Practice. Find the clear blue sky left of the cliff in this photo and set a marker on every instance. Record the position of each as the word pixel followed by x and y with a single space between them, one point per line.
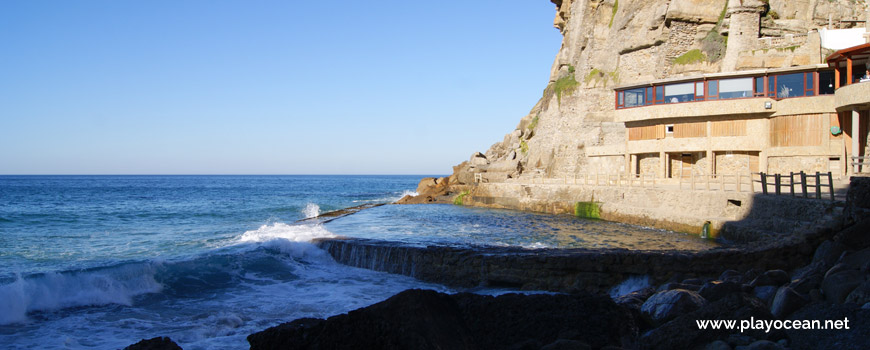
pixel 265 87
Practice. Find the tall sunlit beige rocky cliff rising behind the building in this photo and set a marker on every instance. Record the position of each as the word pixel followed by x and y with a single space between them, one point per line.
pixel 571 130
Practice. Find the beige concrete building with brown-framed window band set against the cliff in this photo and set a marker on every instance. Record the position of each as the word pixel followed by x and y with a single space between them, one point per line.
pixel 811 116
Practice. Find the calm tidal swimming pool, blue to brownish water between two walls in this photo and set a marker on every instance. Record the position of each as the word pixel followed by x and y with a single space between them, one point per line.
pixel 451 225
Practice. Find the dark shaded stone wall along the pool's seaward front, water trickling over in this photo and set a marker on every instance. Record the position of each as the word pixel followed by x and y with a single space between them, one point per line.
pixel 558 270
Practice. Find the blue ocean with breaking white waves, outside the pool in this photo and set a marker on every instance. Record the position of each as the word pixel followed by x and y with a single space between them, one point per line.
pixel 104 261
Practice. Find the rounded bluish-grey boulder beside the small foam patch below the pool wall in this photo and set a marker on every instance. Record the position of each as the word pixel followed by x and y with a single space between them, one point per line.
pixel 667 305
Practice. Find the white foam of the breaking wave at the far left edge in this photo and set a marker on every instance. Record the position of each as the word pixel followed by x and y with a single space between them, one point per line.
pixel 52 291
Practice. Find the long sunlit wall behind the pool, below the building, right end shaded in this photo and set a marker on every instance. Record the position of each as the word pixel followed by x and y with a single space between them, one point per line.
pixel 736 216
